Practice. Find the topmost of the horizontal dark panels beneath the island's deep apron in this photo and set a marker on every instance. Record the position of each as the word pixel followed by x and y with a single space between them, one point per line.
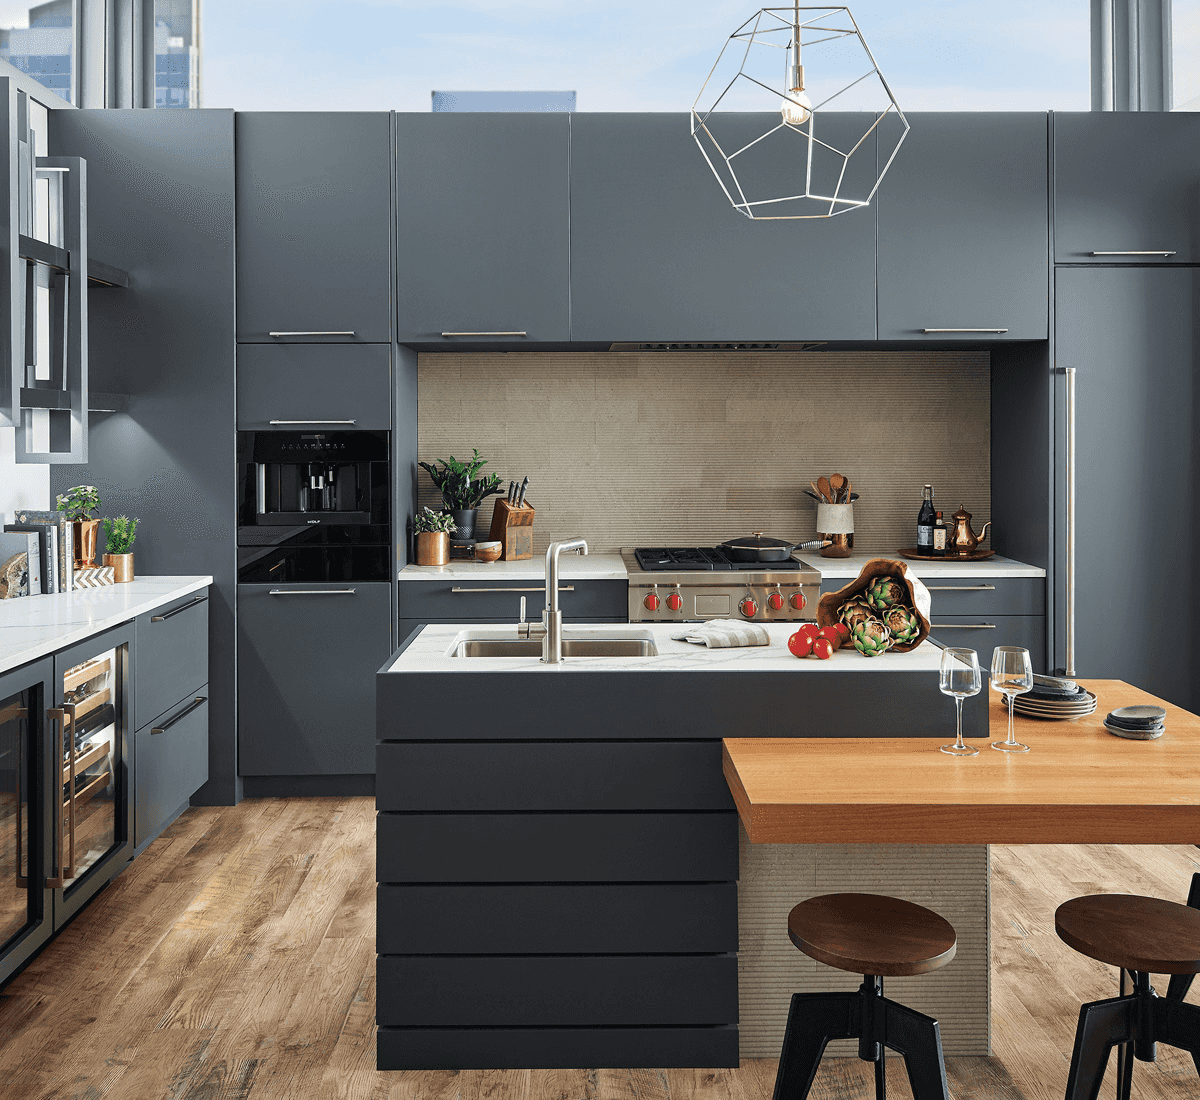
pixel 551 776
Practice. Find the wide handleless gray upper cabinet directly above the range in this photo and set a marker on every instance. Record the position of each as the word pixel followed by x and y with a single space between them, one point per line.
pixel 659 254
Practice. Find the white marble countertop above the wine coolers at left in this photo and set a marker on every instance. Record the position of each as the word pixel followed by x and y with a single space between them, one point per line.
pixel 34 627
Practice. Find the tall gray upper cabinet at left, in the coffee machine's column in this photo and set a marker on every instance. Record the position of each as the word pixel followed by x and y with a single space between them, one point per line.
pixel 314 217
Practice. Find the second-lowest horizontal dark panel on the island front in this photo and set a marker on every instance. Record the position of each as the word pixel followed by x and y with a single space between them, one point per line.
pixel 542 991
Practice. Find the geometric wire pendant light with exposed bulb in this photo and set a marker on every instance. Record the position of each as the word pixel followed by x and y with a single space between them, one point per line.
pixel 796 121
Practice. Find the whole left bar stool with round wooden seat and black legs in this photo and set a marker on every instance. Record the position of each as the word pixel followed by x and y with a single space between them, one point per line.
pixel 878 937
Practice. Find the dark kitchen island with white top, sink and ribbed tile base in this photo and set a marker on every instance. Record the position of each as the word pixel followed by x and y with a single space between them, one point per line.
pixel 559 880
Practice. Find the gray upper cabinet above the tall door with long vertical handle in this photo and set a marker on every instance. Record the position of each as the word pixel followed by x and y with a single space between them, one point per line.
pixel 1127 184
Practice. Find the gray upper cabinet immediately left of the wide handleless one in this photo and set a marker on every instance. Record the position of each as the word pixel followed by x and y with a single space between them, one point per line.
pixel 483 221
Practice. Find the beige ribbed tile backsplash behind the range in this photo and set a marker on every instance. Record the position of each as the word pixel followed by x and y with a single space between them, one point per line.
pixel 691 449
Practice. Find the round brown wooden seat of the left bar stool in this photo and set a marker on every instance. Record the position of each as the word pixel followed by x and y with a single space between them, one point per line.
pixel 869 934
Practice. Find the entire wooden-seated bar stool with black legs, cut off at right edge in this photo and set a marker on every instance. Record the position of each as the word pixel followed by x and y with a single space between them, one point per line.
pixel 1144 936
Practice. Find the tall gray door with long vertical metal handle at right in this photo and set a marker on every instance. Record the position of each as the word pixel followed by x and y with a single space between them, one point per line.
pixel 1131 334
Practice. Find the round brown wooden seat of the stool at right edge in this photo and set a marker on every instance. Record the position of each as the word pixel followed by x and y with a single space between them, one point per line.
pixel 1148 935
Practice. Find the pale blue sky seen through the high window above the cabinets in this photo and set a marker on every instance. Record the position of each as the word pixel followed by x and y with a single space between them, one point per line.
pixel 619 56
